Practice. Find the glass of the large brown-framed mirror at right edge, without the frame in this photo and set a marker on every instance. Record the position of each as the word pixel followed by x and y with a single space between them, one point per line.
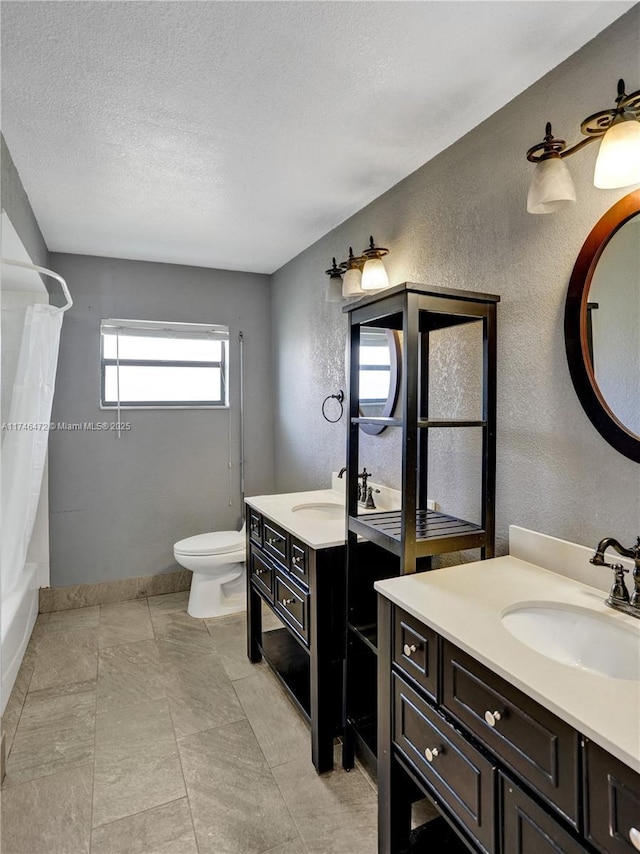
pixel 613 324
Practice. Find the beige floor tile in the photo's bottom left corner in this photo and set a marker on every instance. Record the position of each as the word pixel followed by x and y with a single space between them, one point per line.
pixel 50 815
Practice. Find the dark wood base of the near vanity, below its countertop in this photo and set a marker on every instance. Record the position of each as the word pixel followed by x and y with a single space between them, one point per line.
pixel 508 775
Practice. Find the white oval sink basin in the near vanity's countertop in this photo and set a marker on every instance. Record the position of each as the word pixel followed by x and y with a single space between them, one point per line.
pixel 577 637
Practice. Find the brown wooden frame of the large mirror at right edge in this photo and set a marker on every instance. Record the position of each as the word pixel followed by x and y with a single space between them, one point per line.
pixel 576 328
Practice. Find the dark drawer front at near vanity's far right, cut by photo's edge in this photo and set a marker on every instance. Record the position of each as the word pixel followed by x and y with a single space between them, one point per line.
pixel 612 802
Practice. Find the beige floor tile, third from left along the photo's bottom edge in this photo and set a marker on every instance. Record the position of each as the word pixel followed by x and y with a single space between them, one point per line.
pixel 235 804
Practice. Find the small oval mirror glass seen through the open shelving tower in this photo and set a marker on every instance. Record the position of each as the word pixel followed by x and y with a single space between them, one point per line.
pixel 379 374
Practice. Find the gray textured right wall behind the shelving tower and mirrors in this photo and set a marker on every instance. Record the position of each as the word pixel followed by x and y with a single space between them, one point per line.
pixel 461 221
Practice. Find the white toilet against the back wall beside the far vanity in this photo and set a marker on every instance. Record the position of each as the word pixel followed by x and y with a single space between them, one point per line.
pixel 217 561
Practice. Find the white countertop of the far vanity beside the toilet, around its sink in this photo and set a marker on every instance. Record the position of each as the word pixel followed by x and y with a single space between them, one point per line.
pixel 317 533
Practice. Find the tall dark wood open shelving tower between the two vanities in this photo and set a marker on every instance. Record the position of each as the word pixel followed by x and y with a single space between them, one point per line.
pixel 411 536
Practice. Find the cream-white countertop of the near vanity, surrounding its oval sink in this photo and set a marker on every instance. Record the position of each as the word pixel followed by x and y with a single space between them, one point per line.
pixel 464 604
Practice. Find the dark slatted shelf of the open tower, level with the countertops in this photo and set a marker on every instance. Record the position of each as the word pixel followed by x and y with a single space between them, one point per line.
pixel 436 533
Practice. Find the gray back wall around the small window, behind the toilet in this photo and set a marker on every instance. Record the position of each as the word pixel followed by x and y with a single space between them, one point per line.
pixel 118 505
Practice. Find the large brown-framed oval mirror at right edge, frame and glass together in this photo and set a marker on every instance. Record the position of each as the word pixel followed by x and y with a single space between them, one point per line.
pixel 602 326
